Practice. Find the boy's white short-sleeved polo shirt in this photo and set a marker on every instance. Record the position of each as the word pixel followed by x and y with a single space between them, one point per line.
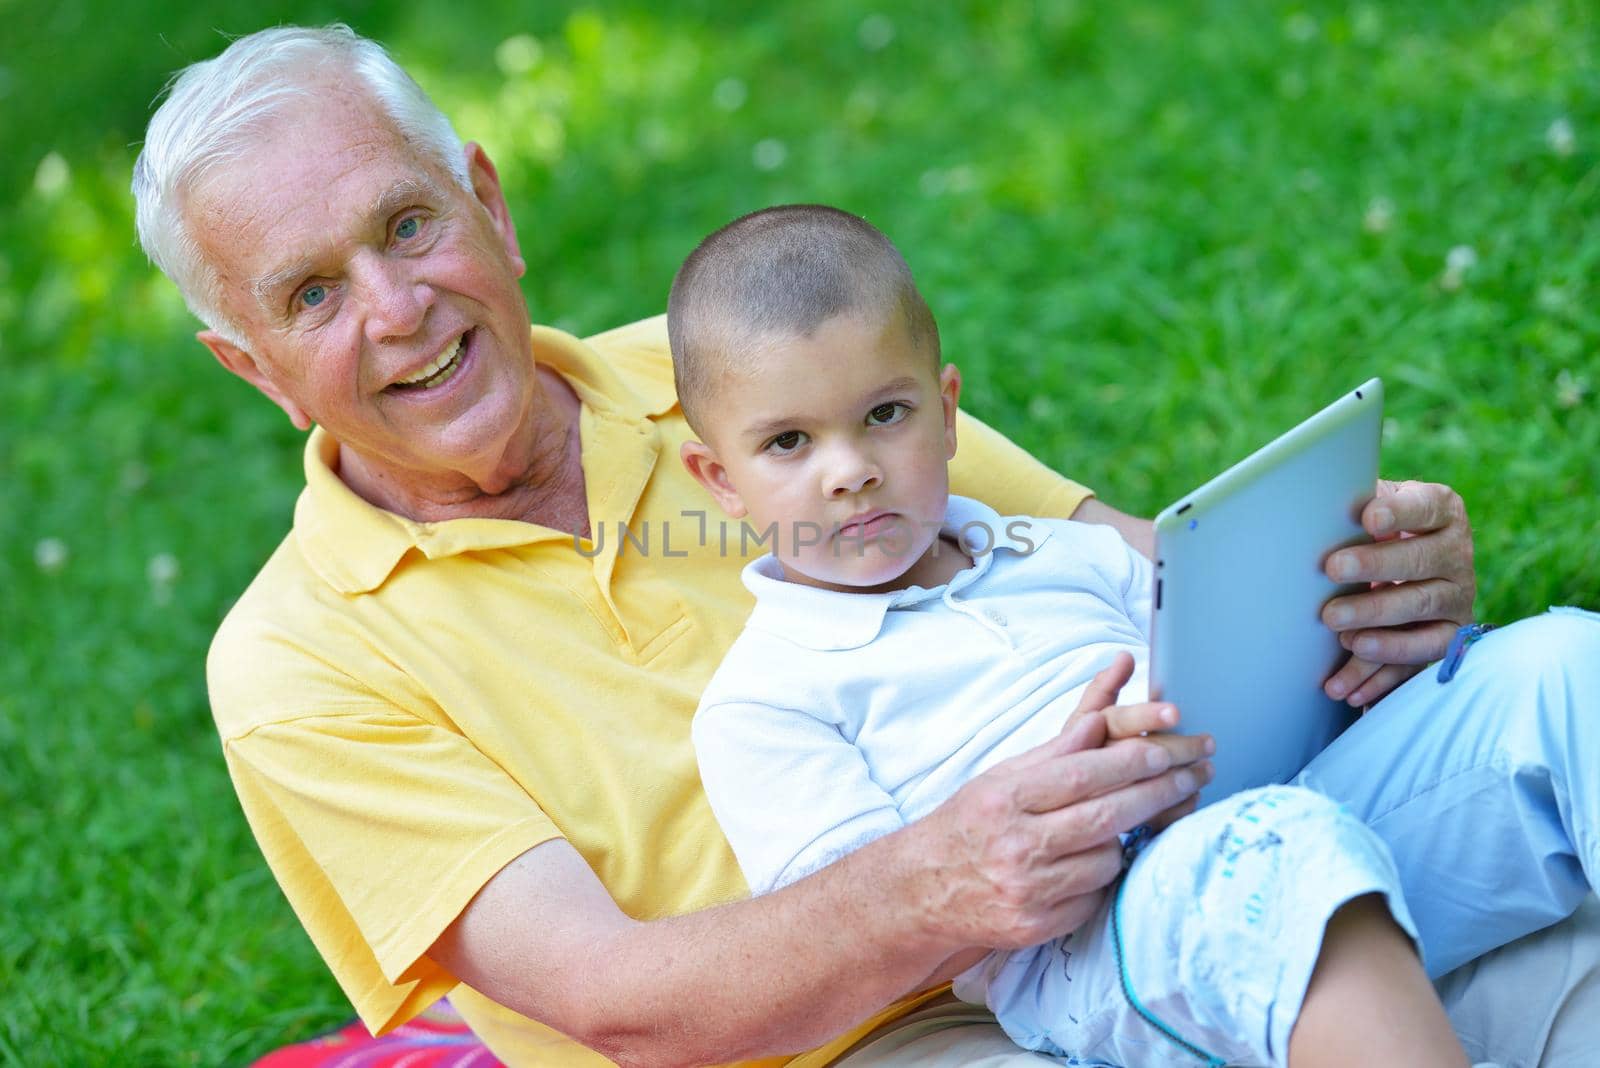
pixel 838 719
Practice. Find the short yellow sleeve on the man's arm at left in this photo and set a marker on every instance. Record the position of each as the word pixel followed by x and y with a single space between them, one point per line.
pixel 382 829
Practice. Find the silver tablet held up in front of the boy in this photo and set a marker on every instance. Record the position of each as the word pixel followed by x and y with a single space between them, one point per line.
pixel 1238 636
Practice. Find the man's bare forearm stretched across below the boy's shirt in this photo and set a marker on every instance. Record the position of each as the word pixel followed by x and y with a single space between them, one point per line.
pixel 769 976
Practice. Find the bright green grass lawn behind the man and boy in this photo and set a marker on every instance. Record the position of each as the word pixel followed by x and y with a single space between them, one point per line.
pixel 1156 234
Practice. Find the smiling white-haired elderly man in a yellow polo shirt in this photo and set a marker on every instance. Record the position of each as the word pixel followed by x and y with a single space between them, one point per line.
pixel 455 703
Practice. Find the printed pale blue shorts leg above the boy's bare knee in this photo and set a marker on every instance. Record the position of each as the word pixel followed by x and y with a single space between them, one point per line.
pixel 1204 952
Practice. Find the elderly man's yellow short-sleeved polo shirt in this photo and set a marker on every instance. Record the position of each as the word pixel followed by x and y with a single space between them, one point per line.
pixel 406 707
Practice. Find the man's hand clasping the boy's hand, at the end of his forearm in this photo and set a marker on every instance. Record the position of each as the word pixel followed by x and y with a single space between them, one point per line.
pixel 1025 851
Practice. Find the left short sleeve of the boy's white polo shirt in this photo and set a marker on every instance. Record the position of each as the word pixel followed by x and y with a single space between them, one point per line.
pixel 830 803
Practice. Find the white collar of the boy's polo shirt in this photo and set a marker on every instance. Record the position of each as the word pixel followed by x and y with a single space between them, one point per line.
pixel 830 621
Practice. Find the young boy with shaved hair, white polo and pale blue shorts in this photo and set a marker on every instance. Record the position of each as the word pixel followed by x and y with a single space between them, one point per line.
pixel 905 642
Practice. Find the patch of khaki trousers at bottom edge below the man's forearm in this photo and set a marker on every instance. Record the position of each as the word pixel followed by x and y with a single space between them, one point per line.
pixel 945 1034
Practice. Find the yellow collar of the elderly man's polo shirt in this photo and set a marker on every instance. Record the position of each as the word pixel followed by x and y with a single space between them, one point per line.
pixel 356 546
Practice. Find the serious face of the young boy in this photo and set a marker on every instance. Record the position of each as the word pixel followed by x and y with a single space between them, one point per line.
pixel 841 442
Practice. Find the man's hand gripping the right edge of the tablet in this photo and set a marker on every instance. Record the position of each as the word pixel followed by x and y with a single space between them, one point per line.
pixel 1423 586
